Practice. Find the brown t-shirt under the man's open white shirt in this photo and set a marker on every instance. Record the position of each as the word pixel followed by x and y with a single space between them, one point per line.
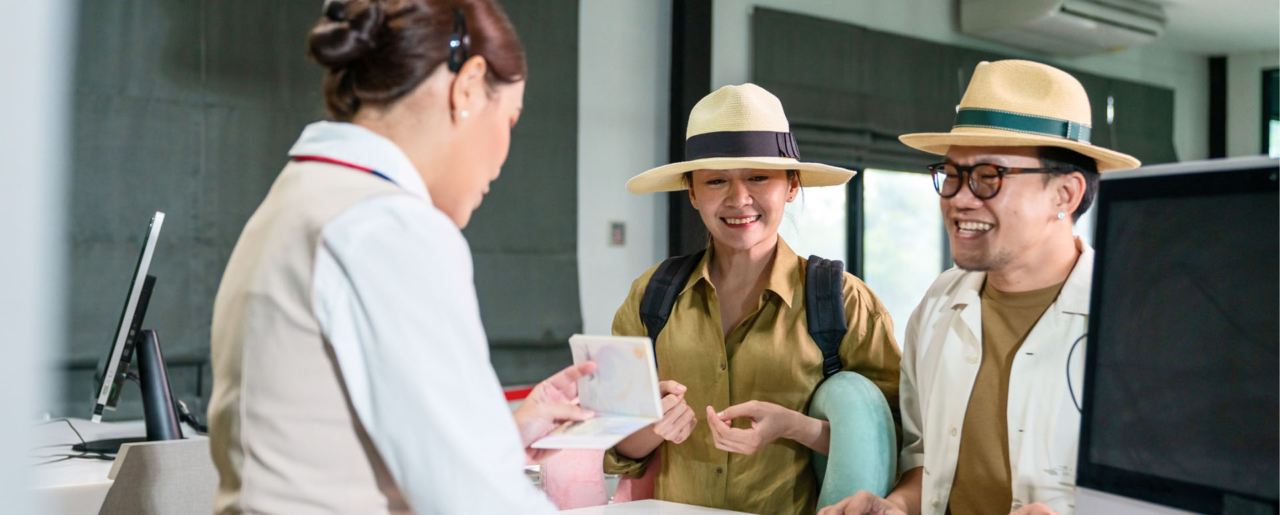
pixel 982 482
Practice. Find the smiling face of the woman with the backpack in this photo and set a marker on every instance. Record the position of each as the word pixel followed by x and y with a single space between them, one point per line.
pixel 743 208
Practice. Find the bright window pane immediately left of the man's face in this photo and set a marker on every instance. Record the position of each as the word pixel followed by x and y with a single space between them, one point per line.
pixel 903 244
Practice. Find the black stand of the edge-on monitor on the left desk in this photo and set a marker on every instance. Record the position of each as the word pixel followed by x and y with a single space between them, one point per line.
pixel 158 405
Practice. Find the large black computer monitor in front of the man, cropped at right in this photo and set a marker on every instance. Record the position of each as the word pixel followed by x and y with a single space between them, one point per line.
pixel 1182 380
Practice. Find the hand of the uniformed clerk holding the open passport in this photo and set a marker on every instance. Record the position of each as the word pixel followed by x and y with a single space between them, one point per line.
pixel 551 404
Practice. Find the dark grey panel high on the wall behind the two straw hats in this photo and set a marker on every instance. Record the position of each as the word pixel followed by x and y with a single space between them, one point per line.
pixel 851 92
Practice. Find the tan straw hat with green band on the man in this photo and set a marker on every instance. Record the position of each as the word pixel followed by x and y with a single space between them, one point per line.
pixel 1020 103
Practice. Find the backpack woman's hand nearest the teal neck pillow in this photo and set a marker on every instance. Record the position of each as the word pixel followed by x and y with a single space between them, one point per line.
pixel 770 422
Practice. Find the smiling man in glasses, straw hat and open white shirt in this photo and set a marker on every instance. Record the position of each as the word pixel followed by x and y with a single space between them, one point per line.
pixel 994 356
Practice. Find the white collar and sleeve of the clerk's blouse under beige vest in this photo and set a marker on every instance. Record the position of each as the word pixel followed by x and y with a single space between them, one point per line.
pixel 395 298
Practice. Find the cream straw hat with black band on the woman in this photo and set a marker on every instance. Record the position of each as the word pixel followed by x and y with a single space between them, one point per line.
pixel 738 127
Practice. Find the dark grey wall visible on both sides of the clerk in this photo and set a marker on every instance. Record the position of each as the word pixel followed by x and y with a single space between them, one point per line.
pixel 189 107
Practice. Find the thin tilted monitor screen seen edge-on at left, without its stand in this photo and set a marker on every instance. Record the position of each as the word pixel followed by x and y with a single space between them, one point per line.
pixel 121 354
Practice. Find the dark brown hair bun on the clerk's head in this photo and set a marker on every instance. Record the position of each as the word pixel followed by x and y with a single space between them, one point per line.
pixel 340 38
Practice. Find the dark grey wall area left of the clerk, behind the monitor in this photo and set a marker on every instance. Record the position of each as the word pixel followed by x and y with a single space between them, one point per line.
pixel 184 107
